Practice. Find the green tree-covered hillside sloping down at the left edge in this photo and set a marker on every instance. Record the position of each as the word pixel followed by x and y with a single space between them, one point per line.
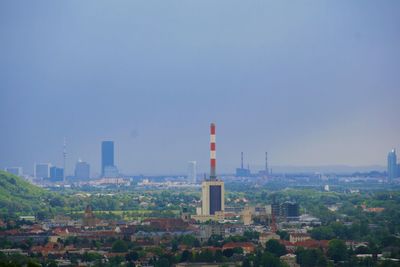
pixel 18 196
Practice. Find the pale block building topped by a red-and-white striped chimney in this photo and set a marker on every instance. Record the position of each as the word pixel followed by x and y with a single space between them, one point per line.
pixel 213 189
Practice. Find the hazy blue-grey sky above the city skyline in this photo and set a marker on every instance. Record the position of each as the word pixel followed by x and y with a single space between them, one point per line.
pixel 312 82
